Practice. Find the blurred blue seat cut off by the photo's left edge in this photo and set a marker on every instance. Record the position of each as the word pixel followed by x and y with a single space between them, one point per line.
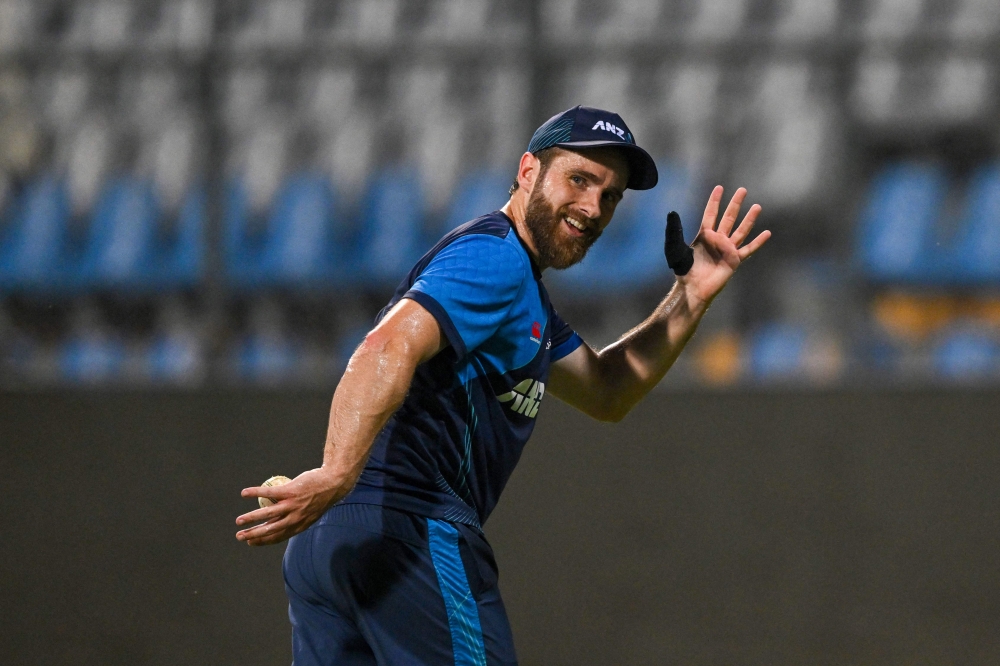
pixel 33 252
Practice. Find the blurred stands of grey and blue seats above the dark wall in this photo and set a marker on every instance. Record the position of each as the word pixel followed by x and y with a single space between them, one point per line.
pixel 211 192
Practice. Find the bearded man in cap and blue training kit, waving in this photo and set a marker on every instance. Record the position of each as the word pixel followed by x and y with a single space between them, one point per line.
pixel 437 403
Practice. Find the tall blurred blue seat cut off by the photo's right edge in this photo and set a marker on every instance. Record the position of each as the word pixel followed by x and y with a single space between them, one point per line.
pixel 975 255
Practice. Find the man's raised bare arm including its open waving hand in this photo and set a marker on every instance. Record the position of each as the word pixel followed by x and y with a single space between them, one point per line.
pixel 607 384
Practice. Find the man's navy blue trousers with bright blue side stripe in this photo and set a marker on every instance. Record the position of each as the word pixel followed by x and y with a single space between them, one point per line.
pixel 368 585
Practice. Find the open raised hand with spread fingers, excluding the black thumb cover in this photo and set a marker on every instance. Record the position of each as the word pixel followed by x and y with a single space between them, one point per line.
pixel 718 250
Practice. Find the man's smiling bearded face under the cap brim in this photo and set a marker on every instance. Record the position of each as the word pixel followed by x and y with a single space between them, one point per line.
pixel 572 201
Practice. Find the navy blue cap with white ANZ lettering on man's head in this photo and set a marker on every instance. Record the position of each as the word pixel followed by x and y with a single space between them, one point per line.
pixel 586 127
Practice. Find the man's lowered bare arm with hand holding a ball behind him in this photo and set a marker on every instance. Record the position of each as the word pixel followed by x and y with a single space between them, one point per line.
pixel 373 387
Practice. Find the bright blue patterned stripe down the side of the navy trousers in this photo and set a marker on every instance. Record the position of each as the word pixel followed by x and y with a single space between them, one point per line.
pixel 463 614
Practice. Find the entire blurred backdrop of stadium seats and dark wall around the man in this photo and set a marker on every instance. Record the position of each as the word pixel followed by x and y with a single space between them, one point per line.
pixel 204 203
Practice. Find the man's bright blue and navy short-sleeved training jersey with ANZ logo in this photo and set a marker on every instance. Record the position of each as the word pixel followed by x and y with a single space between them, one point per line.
pixel 448 451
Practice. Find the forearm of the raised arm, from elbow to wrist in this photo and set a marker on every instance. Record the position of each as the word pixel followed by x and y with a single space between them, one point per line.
pixel 633 365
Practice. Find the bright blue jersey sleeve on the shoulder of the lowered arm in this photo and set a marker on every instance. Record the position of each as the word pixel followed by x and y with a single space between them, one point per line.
pixel 469 287
